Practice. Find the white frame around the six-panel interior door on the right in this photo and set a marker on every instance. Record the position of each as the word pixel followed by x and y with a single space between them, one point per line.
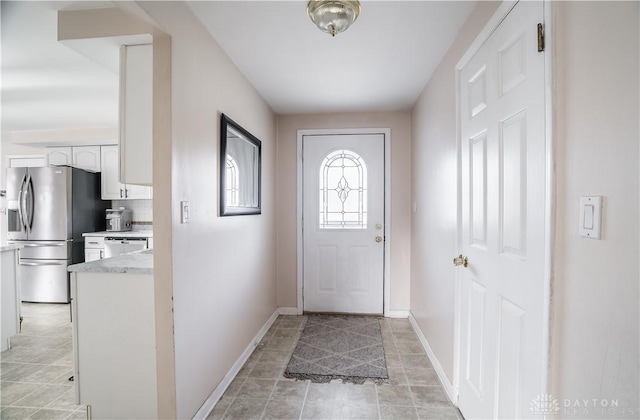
pixel 550 203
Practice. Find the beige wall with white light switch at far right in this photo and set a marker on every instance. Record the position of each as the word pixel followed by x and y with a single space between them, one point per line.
pixel 595 288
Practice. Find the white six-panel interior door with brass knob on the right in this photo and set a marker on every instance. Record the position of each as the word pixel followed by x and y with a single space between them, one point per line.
pixel 502 355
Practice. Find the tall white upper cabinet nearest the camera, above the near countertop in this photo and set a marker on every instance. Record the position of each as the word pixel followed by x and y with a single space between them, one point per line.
pixel 136 114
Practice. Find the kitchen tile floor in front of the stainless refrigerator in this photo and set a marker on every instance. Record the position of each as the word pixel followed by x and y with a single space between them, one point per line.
pixel 34 373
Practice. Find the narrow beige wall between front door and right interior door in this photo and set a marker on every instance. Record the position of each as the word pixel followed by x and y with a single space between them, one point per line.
pixel 434 189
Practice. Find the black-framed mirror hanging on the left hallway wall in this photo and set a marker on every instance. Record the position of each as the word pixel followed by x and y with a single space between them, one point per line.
pixel 240 170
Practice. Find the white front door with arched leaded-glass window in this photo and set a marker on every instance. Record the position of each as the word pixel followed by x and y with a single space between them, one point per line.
pixel 343 223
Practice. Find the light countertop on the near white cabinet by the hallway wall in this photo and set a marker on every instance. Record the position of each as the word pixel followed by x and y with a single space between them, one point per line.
pixel 140 262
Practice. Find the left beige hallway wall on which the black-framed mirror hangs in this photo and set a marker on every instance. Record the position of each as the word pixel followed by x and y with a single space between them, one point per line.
pixel 224 268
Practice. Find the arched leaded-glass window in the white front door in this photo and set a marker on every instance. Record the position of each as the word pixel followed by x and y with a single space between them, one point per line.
pixel 343 191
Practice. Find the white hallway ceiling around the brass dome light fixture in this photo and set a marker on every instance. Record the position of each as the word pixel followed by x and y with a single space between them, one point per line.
pixel 381 63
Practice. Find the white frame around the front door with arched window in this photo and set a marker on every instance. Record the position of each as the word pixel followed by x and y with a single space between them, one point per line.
pixel 386 132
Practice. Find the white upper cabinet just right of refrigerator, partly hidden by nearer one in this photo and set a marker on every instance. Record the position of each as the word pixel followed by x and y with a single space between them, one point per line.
pixel 112 189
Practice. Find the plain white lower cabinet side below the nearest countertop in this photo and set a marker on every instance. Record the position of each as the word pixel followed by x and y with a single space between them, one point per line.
pixel 114 344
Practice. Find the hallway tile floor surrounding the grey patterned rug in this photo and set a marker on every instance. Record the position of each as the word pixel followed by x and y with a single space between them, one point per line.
pixel 259 391
